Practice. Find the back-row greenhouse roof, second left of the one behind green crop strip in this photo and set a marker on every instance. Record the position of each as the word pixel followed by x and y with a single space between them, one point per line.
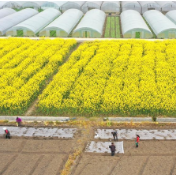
pixel 73 5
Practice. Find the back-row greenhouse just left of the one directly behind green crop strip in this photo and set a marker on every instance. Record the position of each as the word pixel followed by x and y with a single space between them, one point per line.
pixel 89 5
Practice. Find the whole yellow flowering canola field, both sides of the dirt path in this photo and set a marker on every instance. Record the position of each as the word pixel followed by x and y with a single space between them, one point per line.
pixel 105 78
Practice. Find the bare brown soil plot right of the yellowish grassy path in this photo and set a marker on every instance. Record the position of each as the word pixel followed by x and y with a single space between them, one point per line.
pixel 152 157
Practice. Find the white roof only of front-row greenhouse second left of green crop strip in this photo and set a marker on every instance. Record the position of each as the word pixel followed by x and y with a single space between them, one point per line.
pixel 66 21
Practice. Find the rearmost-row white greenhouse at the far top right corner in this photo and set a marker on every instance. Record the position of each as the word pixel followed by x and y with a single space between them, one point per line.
pixel 167 6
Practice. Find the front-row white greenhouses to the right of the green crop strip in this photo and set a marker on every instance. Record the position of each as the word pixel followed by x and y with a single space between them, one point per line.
pixel 136 26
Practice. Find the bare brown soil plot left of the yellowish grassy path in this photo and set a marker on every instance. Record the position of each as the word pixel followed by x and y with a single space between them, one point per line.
pixel 33 157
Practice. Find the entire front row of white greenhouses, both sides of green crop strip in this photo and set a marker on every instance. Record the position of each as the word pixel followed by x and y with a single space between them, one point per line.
pixel 32 22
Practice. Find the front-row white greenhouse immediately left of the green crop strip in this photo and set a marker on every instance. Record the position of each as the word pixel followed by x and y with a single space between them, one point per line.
pixel 91 25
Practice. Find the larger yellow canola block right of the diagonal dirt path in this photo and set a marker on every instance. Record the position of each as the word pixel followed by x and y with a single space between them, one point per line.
pixel 128 77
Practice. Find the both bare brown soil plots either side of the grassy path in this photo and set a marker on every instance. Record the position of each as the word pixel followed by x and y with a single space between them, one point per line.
pixel 48 157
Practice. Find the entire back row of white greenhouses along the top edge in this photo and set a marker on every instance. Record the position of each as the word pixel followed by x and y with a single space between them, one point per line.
pixel 84 6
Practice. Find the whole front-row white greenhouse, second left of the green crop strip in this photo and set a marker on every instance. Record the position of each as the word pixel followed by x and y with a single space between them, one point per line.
pixel 64 24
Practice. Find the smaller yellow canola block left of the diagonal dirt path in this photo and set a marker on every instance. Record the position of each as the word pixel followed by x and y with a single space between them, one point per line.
pixel 25 65
